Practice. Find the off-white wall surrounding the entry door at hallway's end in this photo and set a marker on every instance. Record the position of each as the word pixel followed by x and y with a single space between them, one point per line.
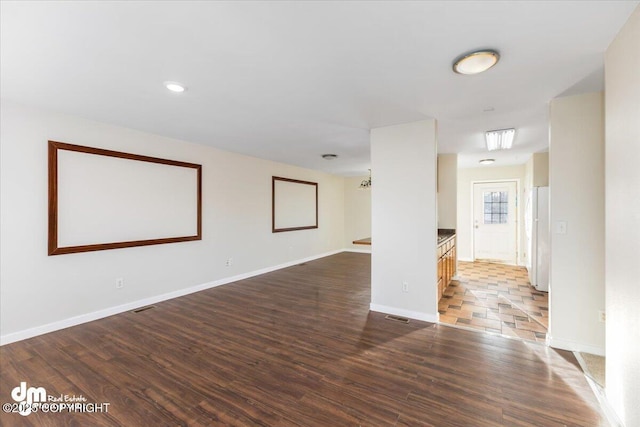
pixel 466 177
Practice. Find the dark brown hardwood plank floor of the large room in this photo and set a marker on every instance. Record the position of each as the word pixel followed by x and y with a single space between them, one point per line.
pixel 296 347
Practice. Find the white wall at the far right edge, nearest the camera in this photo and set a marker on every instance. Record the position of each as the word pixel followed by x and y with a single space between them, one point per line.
pixel 622 105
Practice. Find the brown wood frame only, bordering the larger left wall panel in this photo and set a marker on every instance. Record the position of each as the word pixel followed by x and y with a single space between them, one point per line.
pixel 53 247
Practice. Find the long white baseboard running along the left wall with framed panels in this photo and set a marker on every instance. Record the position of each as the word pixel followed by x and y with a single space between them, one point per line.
pixel 110 311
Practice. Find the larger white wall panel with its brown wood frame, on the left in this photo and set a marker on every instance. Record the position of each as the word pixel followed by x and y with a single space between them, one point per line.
pixel 102 199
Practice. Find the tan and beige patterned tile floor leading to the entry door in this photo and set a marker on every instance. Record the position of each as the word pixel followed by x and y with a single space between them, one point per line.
pixel 495 298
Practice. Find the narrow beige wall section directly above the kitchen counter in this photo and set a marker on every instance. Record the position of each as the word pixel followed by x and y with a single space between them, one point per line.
pixel 447 190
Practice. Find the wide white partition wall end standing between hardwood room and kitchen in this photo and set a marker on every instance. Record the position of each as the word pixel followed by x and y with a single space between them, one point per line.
pixel 403 221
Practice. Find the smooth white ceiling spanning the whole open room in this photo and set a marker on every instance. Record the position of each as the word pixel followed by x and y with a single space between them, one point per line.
pixel 289 81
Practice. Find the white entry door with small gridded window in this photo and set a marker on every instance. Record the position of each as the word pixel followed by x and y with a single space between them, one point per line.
pixel 495 222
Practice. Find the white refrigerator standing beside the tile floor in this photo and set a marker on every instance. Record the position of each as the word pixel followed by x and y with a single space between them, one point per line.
pixel 537 228
